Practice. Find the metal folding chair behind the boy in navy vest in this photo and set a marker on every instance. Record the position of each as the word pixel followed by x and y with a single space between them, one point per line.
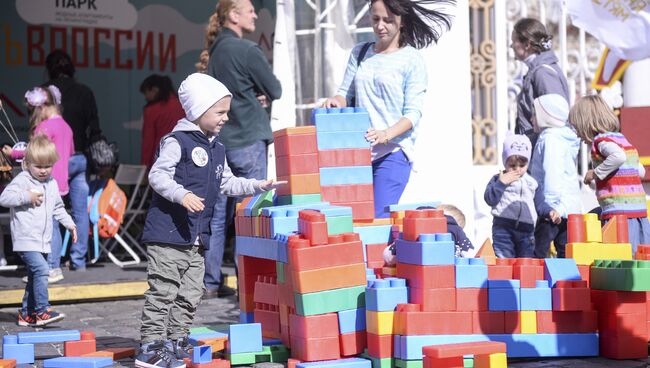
pixel 131 179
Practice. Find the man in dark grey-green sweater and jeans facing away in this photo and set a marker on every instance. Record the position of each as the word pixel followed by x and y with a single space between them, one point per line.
pixel 242 67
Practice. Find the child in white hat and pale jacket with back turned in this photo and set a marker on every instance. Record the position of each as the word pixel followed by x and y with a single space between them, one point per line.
pixel 554 166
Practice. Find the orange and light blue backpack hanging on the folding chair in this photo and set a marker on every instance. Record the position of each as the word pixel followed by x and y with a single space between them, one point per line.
pixel 106 206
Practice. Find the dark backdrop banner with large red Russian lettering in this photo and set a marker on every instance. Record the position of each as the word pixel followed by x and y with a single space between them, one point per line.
pixel 114 44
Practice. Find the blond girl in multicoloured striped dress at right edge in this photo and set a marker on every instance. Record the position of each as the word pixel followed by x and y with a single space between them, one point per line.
pixel 616 169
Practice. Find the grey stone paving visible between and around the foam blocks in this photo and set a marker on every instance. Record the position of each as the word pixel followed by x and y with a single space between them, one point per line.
pixel 116 324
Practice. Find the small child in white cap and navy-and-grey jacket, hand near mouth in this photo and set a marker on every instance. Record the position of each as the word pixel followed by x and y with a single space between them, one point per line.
pixel 513 195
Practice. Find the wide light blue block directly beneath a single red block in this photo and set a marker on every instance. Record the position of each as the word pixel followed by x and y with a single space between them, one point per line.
pixel 429 250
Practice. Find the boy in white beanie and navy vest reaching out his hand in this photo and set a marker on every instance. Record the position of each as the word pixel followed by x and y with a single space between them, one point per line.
pixel 189 173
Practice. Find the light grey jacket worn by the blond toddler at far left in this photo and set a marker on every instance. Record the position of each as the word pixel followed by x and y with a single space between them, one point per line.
pixel 31 226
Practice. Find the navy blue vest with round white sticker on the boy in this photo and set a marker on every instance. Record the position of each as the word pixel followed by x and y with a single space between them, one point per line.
pixel 171 223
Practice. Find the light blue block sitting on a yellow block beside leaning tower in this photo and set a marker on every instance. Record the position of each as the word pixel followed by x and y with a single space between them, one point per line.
pixel 383 295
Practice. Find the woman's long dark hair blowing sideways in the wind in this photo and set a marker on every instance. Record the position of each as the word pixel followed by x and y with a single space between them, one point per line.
pixel 422 25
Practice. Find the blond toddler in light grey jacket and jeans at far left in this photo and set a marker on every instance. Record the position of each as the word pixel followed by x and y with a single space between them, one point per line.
pixel 33 199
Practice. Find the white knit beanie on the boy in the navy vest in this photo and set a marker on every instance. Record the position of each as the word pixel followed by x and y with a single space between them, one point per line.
pixel 198 92
